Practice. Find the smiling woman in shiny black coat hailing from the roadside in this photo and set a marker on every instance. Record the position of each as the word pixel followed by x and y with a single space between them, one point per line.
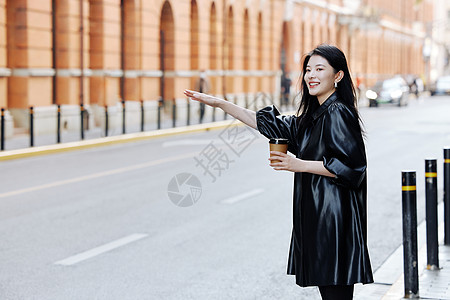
pixel 329 240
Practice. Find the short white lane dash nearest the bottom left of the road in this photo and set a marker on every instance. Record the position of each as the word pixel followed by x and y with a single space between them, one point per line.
pixel 101 249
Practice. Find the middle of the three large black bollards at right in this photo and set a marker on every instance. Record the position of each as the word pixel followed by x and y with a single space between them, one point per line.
pixel 431 214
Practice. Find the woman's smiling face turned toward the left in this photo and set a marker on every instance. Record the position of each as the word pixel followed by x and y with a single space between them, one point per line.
pixel 320 78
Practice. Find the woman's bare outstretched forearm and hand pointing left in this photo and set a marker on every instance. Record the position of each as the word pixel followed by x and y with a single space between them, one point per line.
pixel 244 115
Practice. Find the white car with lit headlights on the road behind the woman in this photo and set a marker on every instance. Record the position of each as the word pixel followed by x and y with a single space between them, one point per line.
pixel 394 90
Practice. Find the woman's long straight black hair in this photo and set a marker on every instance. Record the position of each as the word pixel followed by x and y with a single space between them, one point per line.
pixel 345 90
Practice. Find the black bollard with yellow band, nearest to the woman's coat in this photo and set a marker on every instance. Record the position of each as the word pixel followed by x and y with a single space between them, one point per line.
pixel 409 213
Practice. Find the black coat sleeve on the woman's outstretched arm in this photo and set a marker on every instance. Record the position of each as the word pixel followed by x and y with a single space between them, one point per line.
pixel 273 125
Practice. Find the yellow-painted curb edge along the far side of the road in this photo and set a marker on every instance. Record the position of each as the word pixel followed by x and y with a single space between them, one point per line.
pixel 107 141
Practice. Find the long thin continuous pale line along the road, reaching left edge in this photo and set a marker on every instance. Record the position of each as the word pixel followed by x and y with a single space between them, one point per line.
pixel 97 175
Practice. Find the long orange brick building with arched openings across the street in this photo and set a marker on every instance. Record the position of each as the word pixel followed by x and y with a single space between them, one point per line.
pixel 100 52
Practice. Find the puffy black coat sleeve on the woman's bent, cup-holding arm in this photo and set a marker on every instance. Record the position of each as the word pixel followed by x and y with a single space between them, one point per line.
pixel 345 152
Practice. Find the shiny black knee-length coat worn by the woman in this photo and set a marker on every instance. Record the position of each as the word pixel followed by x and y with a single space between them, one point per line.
pixel 329 237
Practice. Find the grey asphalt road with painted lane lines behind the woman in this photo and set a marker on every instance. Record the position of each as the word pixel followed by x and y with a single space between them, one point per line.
pixel 121 222
